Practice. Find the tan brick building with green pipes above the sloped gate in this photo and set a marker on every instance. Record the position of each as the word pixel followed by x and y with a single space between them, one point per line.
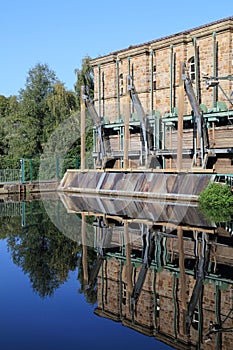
pixel 155 70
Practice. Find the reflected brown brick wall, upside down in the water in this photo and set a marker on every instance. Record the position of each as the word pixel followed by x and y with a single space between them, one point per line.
pixel 161 309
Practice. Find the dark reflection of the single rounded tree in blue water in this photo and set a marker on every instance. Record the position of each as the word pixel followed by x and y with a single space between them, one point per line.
pixel 42 252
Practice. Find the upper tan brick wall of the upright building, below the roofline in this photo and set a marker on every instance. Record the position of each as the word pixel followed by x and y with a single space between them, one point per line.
pixel 213 43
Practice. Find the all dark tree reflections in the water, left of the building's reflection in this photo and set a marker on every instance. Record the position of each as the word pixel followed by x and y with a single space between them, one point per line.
pixel 41 251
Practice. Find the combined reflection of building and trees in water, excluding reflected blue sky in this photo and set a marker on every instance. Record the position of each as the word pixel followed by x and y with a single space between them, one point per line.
pixel 162 269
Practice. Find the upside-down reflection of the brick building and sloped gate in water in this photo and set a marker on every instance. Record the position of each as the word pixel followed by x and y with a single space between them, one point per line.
pixel 171 279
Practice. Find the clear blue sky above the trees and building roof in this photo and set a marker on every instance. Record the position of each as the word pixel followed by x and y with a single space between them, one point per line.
pixel 61 33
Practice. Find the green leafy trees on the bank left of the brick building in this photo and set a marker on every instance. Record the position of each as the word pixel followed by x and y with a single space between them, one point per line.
pixel 38 119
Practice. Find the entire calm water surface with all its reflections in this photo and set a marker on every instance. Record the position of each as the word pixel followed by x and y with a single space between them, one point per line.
pixel 99 273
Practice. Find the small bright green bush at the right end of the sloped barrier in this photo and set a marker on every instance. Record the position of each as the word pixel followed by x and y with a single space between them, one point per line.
pixel 216 201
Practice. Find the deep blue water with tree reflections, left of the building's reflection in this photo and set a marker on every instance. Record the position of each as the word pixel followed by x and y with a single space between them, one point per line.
pixel 42 299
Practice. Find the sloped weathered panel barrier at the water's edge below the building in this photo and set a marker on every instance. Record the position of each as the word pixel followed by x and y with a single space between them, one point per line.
pixel 136 184
